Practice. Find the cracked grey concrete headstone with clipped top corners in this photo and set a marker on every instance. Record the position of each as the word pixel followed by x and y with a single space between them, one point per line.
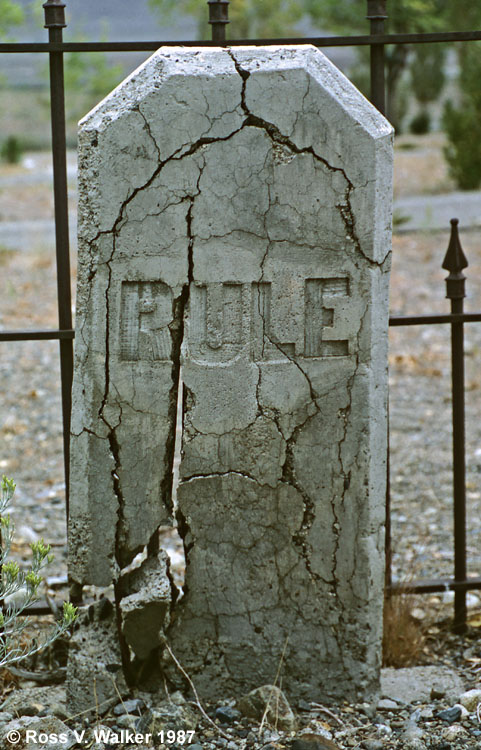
pixel 235 213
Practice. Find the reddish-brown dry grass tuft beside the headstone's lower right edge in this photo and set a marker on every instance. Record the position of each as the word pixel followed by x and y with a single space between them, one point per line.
pixel 403 636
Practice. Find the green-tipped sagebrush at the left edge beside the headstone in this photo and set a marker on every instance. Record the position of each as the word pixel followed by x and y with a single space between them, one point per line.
pixel 24 585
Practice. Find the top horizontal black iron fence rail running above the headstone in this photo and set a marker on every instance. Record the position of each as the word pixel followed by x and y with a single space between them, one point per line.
pixel 364 40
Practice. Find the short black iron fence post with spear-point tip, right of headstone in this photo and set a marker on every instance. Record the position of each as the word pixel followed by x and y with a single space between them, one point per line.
pixel 454 262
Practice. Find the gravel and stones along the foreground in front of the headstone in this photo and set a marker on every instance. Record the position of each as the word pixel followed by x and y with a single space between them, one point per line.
pixel 426 708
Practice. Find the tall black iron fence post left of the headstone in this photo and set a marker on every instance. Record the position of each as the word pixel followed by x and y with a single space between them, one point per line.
pixel 55 23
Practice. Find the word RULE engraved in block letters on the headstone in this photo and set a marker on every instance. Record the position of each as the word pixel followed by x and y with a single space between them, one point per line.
pixel 228 318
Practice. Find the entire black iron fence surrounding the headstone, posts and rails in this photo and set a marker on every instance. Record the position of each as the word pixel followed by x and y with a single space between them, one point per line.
pixel 454 261
